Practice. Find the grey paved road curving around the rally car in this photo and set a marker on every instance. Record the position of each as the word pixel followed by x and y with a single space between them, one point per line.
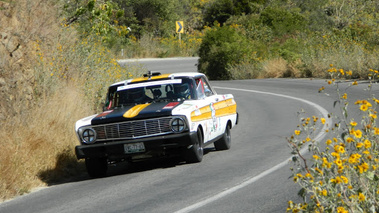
pixel 253 176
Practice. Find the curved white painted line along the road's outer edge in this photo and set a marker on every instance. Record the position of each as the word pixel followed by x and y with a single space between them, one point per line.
pixel 324 113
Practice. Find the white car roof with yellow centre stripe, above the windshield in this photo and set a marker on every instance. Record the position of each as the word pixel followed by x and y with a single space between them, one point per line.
pixel 160 76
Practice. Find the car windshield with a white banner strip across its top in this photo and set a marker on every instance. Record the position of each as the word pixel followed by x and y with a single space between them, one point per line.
pixel 152 91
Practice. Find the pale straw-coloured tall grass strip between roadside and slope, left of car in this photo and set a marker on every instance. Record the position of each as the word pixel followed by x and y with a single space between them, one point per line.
pixel 35 140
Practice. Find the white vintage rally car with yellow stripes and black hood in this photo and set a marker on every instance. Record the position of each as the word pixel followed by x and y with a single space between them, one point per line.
pixel 155 116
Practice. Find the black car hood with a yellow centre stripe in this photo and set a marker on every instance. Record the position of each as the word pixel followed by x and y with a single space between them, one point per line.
pixel 135 112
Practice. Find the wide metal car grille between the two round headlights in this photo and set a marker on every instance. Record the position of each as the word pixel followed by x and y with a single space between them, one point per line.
pixel 133 129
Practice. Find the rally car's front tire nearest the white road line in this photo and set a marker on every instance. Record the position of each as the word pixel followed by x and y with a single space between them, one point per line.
pixel 196 152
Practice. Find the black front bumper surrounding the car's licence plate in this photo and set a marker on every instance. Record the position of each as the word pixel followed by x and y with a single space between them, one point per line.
pixel 154 146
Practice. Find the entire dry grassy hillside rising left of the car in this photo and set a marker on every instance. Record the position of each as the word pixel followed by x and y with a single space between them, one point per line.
pixel 55 80
